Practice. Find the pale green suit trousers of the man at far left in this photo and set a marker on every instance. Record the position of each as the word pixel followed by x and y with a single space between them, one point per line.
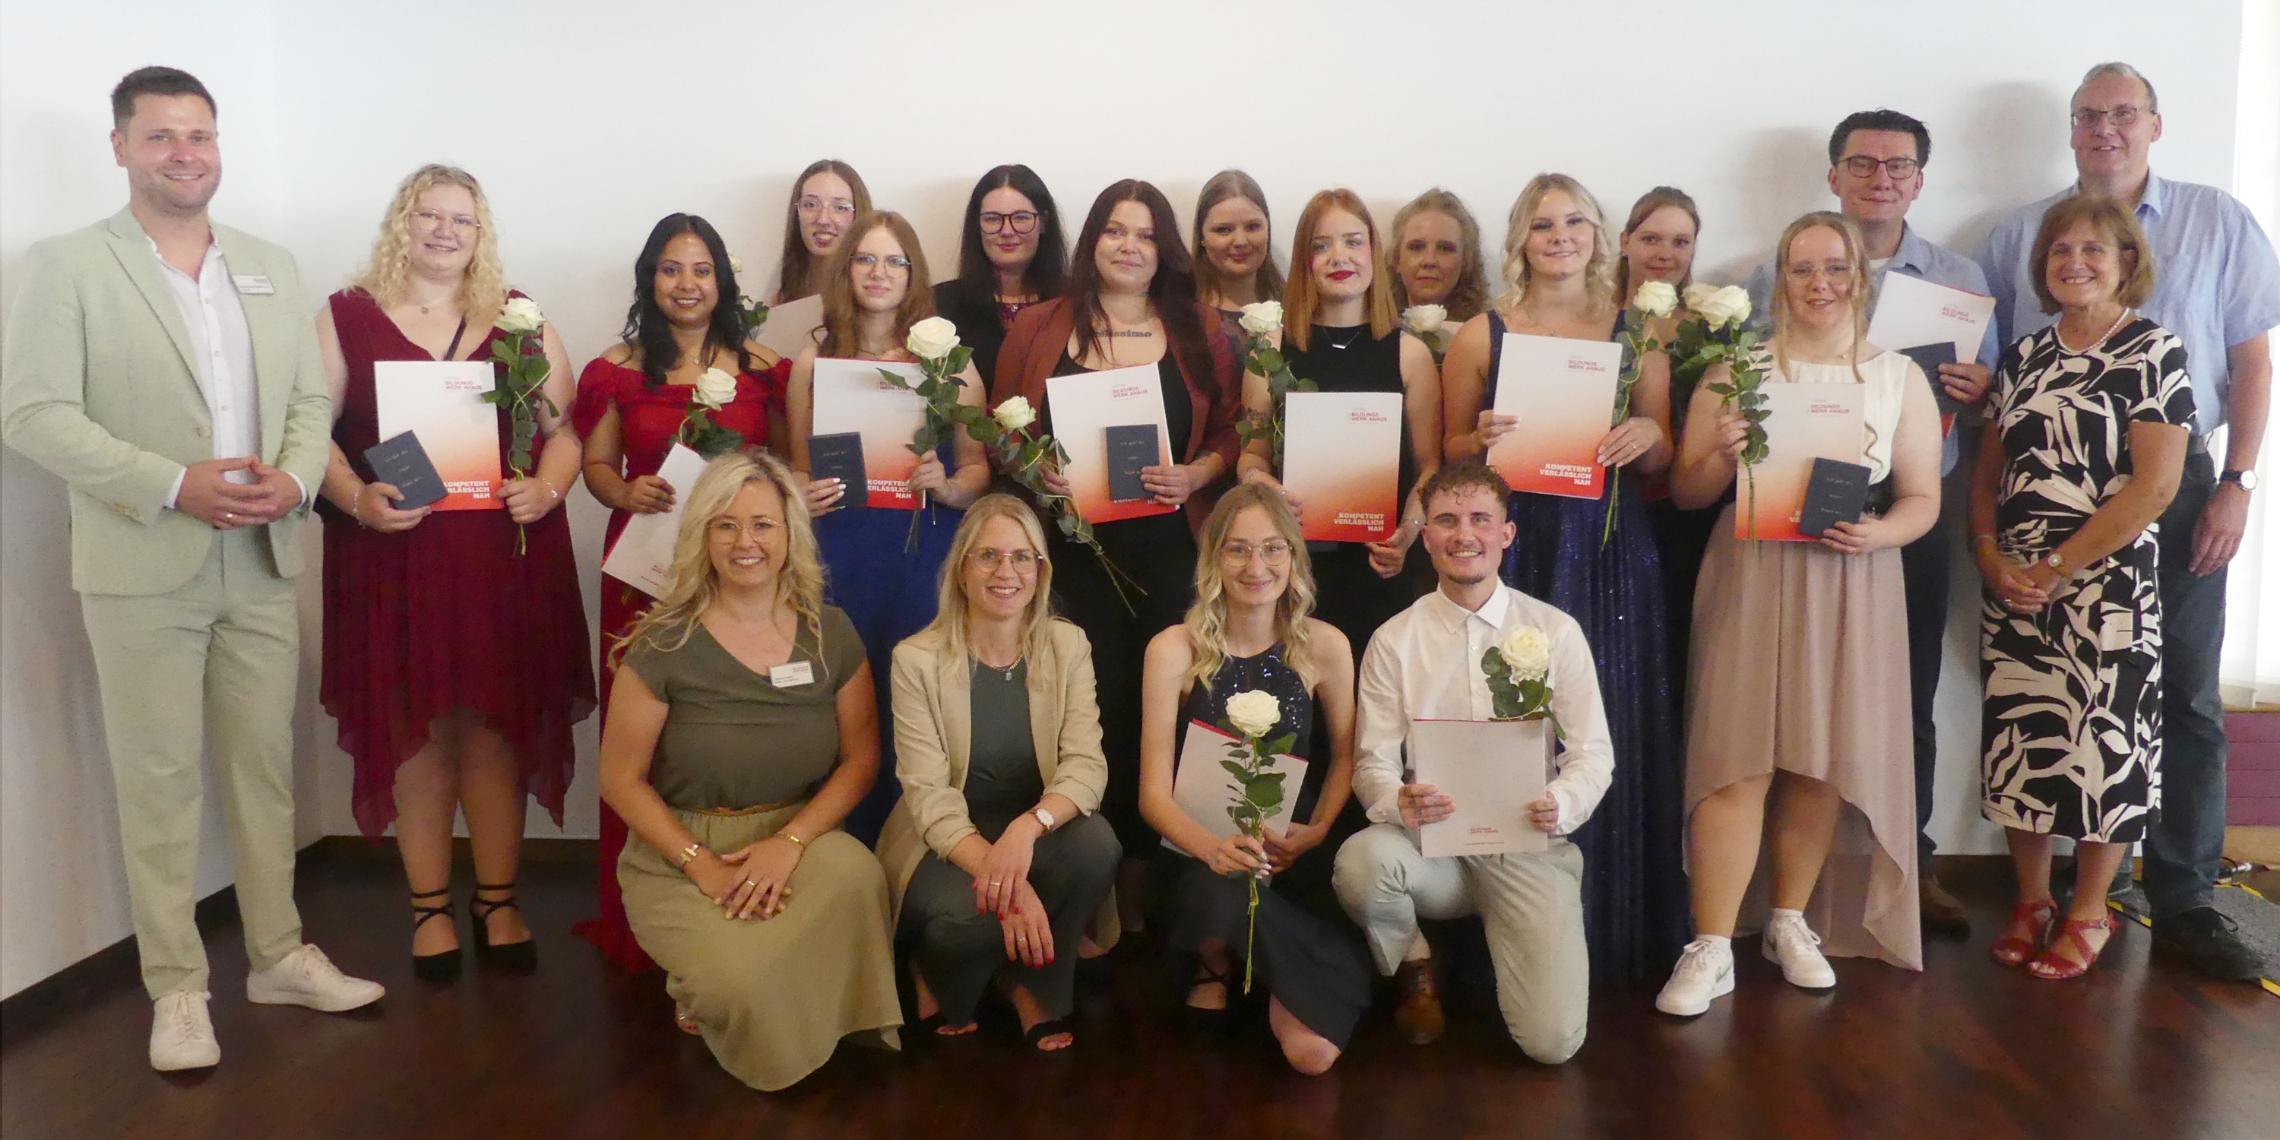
pixel 215 660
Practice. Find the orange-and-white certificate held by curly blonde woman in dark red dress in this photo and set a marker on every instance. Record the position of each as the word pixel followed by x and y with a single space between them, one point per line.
pixel 441 402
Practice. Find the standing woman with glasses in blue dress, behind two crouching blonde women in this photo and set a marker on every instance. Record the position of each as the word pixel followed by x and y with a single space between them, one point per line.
pixel 877 288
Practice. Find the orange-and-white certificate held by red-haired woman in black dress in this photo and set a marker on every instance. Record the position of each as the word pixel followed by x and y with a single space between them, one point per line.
pixel 1344 464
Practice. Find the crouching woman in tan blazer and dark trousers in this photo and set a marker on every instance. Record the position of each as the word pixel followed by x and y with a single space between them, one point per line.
pixel 995 856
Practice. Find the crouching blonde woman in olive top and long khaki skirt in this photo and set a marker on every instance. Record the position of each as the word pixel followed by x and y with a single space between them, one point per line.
pixel 740 735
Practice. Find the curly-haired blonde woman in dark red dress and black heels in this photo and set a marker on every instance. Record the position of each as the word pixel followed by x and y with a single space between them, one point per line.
pixel 453 660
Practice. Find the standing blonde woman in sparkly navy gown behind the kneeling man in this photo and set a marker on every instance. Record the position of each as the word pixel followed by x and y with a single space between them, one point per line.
pixel 1561 284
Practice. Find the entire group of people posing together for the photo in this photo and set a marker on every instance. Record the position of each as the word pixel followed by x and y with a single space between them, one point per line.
pixel 856 769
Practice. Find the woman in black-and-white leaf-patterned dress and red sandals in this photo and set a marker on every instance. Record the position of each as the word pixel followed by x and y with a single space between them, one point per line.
pixel 2087 448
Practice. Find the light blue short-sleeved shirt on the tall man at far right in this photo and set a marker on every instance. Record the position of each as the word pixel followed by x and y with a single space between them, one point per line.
pixel 2215 279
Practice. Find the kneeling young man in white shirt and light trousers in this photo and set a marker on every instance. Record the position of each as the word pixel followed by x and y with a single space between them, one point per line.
pixel 1428 665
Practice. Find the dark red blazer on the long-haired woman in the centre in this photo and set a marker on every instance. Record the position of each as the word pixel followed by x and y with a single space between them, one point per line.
pixel 1041 334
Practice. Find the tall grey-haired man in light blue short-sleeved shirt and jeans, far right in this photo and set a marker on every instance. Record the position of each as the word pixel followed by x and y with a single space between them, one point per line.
pixel 2217 288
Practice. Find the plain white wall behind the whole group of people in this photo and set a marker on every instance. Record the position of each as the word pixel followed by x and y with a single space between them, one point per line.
pixel 589 122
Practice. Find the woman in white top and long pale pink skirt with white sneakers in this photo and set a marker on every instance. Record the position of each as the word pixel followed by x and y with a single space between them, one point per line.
pixel 1798 715
